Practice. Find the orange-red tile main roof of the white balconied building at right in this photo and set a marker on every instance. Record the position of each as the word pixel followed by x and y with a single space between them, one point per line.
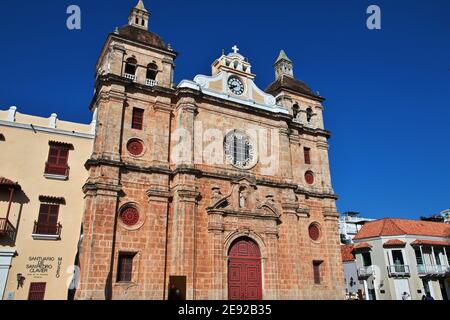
pixel 394 227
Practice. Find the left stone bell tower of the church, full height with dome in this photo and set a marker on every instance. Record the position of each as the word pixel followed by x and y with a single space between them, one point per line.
pixel 133 77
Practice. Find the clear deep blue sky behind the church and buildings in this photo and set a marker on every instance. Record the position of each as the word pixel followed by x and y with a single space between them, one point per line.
pixel 388 91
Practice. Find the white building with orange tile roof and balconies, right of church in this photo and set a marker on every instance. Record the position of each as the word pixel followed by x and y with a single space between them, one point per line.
pixel 395 256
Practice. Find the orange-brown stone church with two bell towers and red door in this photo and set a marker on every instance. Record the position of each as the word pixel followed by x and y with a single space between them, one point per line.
pixel 206 189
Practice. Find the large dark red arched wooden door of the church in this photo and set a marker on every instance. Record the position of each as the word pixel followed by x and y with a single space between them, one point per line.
pixel 244 271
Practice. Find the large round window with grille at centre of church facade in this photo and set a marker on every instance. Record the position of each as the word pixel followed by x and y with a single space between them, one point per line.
pixel 240 150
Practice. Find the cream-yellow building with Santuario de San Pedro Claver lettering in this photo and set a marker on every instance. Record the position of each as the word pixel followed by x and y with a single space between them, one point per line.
pixel 41 203
